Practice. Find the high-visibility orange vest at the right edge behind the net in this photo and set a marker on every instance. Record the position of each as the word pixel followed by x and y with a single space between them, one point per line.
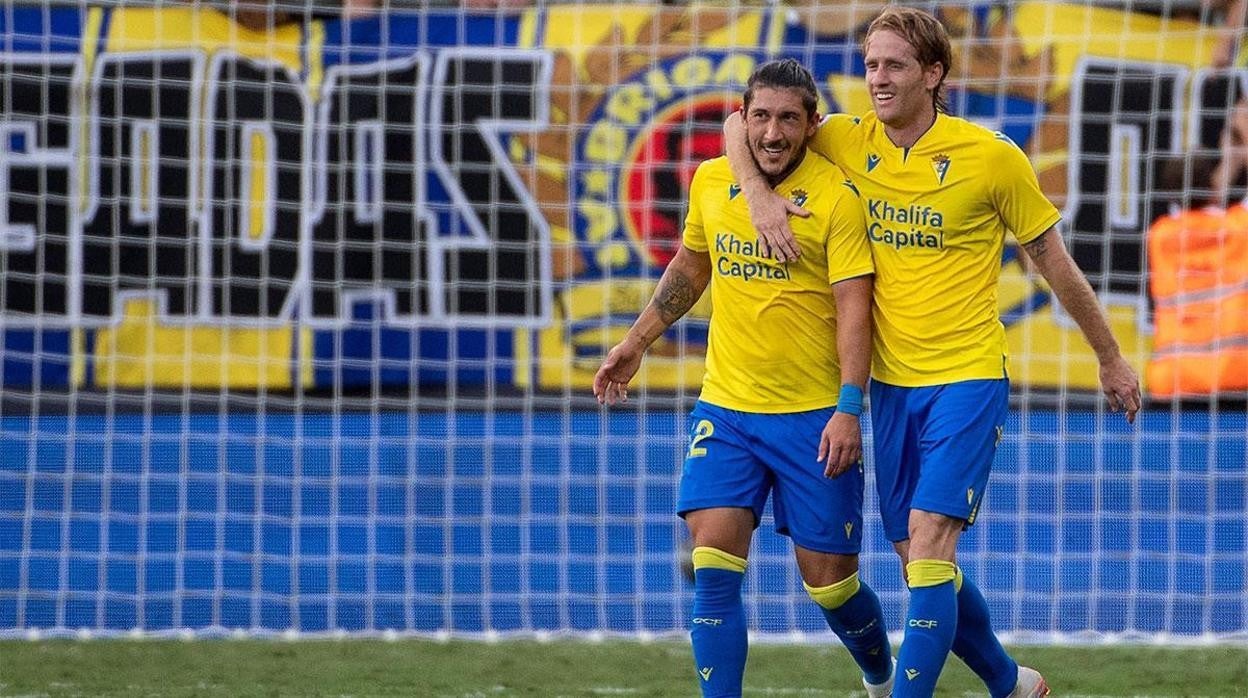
pixel 1199 272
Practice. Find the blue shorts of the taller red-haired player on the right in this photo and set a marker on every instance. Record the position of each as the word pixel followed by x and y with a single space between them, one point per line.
pixel 934 449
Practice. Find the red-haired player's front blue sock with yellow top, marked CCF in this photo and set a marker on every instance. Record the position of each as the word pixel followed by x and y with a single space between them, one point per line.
pixel 930 627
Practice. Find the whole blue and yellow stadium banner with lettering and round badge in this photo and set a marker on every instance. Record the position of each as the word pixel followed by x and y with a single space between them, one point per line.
pixel 490 199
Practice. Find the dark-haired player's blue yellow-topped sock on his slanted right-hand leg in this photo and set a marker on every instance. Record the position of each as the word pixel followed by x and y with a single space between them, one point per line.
pixel 853 612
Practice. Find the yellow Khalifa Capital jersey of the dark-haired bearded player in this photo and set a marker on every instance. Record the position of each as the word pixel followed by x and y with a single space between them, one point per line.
pixel 772 347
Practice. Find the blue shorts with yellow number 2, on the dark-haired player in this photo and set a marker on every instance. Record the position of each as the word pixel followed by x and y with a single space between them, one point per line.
pixel 737 459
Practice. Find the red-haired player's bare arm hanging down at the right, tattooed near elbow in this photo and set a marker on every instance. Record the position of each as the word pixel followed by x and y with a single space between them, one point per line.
pixel 1119 380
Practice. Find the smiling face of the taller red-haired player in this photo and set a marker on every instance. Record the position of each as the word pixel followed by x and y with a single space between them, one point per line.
pixel 902 88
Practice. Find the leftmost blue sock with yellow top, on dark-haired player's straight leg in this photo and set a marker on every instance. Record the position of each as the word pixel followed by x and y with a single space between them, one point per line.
pixel 719 634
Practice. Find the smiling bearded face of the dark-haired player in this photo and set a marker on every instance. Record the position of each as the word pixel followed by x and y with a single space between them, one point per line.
pixel 778 125
